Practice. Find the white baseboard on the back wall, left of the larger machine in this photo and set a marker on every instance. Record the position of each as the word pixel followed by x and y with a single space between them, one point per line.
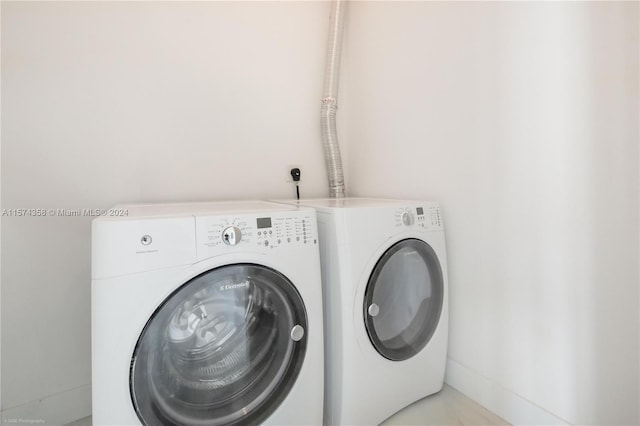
pixel 58 409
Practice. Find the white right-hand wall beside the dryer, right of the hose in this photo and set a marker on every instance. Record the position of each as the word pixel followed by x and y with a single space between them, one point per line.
pixel 522 120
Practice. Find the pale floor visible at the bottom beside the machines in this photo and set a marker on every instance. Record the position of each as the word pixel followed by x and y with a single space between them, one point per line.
pixel 448 407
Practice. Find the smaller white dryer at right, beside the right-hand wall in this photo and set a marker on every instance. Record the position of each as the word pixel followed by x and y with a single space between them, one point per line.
pixel 386 305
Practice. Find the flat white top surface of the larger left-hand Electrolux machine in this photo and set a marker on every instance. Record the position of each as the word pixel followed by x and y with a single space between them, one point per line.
pixel 133 211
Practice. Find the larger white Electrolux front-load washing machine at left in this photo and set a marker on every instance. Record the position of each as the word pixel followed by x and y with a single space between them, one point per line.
pixel 207 314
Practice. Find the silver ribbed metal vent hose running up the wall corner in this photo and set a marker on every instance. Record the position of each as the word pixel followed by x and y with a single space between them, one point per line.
pixel 329 109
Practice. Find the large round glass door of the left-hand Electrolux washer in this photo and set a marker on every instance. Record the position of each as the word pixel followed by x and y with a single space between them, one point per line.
pixel 225 348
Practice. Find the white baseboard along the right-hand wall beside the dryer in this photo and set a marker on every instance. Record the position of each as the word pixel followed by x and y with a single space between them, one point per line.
pixel 502 402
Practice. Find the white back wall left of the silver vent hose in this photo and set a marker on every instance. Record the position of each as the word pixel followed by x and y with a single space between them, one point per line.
pixel 111 102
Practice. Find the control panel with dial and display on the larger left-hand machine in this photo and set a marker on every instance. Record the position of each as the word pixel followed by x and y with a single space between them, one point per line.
pixel 269 231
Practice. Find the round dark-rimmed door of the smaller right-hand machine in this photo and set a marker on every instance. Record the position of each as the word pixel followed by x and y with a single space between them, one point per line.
pixel 403 299
